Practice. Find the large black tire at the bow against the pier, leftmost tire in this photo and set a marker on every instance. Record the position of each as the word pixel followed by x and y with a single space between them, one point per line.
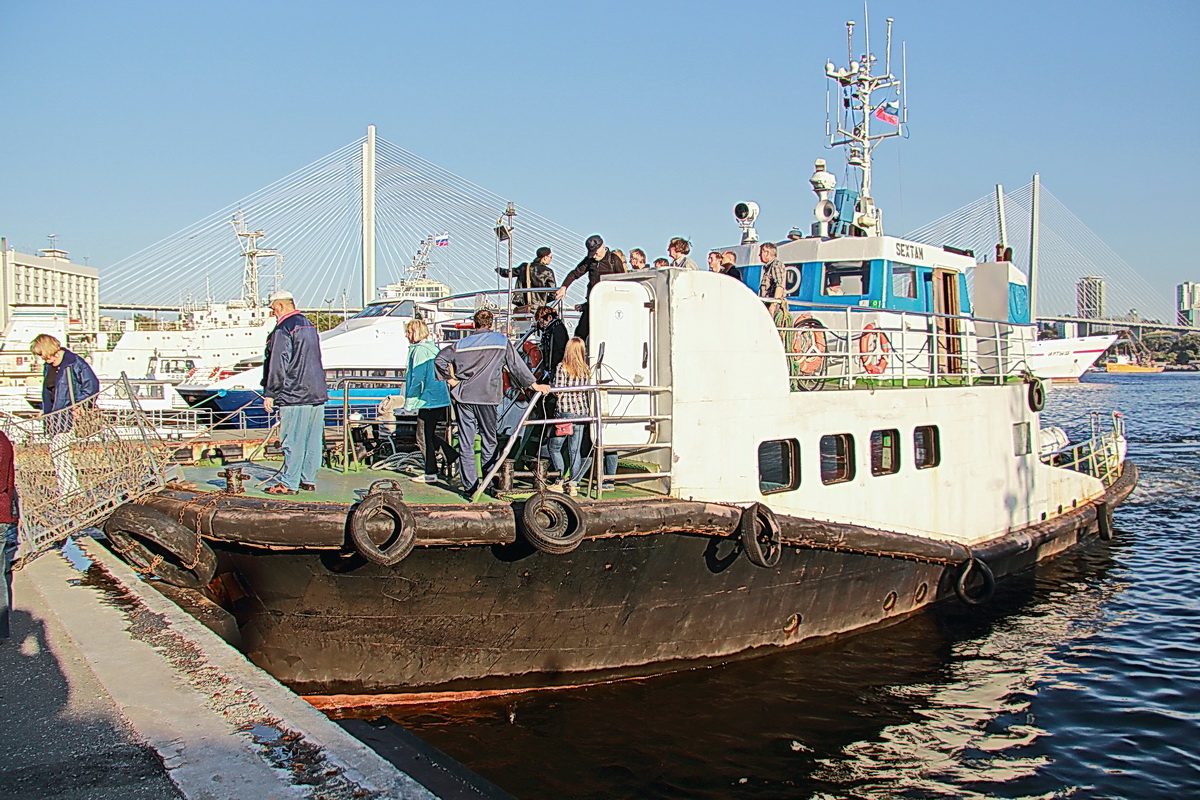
pixel 154 544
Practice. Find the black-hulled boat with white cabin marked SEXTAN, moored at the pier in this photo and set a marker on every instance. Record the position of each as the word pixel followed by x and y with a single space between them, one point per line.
pixel 785 478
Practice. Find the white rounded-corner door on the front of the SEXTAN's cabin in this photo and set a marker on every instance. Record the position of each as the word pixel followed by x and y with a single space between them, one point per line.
pixel 623 341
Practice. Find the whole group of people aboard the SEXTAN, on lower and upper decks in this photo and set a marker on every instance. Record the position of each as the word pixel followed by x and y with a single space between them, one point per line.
pixel 469 375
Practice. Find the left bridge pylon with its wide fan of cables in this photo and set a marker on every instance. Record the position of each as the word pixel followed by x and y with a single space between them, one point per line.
pixel 315 222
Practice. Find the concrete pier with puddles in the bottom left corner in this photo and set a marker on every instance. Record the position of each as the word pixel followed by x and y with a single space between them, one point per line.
pixel 110 690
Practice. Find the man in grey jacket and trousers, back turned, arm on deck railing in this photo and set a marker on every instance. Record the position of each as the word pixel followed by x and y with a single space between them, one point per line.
pixel 473 369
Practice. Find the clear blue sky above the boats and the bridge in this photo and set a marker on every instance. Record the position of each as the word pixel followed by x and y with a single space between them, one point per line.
pixel 129 121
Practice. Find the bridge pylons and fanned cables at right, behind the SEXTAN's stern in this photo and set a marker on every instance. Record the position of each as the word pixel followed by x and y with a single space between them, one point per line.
pixel 1069 252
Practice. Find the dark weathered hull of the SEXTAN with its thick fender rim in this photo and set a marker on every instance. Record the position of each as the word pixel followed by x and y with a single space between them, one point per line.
pixel 653 587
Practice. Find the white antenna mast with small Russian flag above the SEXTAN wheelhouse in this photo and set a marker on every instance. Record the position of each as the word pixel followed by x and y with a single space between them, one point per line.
pixel 855 116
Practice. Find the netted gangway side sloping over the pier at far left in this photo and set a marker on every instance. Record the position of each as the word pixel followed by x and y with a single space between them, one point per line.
pixel 77 465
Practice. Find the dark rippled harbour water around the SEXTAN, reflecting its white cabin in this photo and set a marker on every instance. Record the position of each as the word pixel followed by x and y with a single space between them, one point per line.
pixel 1081 679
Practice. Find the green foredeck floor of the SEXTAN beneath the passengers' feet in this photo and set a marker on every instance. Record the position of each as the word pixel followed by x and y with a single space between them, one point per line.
pixel 334 486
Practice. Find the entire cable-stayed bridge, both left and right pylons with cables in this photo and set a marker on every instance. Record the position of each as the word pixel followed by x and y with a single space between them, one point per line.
pixel 371 204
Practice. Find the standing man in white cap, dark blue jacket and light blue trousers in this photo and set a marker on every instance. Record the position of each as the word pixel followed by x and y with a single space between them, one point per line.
pixel 295 382
